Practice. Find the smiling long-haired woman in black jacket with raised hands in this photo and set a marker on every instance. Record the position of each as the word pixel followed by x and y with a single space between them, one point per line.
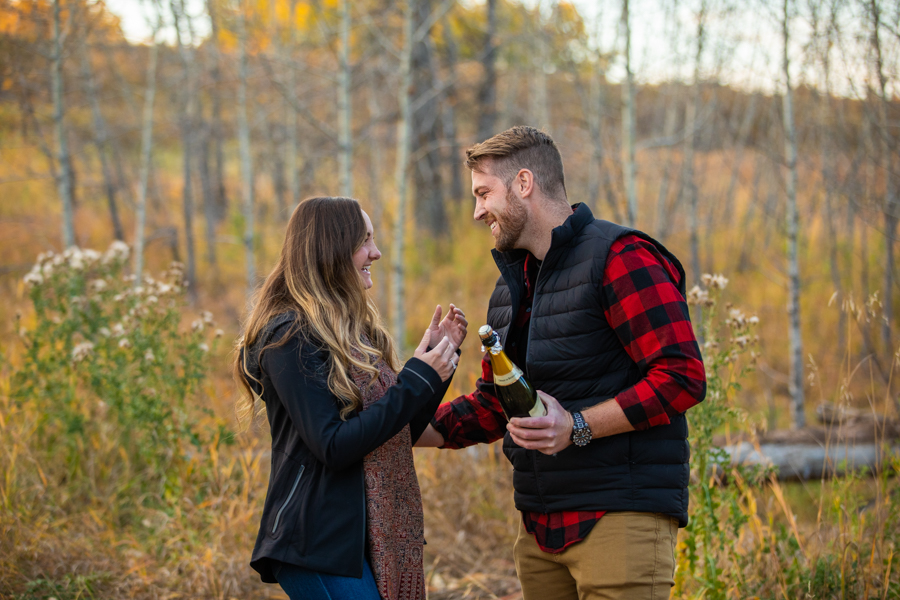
pixel 343 513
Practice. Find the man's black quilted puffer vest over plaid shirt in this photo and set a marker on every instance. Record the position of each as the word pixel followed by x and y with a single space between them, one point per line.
pixel 574 355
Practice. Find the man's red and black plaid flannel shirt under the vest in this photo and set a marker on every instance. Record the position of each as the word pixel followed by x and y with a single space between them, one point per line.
pixel 642 304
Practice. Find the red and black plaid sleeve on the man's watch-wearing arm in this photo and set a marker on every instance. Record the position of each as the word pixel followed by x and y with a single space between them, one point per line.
pixel 651 317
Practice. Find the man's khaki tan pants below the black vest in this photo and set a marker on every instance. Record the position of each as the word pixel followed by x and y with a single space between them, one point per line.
pixel 626 556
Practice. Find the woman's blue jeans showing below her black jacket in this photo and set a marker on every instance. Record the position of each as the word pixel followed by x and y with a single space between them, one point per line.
pixel 301 584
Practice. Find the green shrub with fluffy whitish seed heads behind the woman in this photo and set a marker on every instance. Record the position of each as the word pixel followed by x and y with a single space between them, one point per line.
pixel 112 376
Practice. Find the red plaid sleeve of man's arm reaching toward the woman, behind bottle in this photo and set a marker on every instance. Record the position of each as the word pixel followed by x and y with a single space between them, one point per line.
pixel 475 418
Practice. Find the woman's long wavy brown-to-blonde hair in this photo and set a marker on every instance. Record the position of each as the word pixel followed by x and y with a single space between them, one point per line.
pixel 315 279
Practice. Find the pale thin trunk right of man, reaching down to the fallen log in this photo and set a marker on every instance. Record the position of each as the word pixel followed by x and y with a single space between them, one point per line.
pixel 795 384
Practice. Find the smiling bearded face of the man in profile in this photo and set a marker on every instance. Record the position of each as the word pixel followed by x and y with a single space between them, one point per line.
pixel 500 209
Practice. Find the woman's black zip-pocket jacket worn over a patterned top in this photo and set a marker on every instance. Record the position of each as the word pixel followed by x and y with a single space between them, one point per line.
pixel 315 510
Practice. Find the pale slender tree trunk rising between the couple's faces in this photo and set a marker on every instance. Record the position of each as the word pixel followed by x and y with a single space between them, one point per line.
pixel 398 314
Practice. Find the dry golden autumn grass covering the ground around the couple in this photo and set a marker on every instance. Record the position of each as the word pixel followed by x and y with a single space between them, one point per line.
pixel 840 535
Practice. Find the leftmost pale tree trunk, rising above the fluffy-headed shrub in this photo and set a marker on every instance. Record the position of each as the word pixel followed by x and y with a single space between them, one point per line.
pixel 64 160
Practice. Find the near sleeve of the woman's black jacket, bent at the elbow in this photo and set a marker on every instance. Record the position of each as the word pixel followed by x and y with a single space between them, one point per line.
pixel 298 372
